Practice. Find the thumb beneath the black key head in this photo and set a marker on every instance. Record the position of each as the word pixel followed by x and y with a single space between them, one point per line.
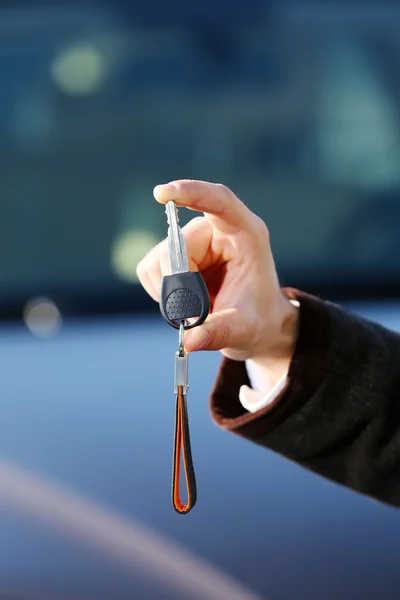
pixel 219 331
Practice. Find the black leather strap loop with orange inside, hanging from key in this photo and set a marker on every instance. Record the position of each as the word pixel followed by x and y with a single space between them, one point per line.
pixel 182 446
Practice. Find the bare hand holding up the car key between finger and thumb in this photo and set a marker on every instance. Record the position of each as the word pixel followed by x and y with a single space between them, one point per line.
pixel 250 317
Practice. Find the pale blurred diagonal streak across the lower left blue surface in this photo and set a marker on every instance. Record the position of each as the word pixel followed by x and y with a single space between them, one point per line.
pixel 136 548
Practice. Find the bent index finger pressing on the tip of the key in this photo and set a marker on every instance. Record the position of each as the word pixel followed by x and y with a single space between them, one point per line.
pixel 227 213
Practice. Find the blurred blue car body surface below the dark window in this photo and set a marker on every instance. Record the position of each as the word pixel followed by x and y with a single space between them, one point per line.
pixel 86 428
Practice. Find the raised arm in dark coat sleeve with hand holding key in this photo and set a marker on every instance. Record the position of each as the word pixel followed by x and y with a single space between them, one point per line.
pixel 338 414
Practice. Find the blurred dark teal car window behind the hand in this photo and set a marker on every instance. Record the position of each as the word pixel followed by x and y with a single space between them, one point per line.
pixel 299 117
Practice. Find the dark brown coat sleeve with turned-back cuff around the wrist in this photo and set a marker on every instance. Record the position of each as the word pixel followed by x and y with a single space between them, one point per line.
pixel 339 415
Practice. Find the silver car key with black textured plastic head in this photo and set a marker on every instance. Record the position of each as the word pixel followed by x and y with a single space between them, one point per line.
pixel 184 294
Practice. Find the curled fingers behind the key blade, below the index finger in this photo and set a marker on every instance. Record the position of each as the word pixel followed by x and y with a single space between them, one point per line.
pixel 197 234
